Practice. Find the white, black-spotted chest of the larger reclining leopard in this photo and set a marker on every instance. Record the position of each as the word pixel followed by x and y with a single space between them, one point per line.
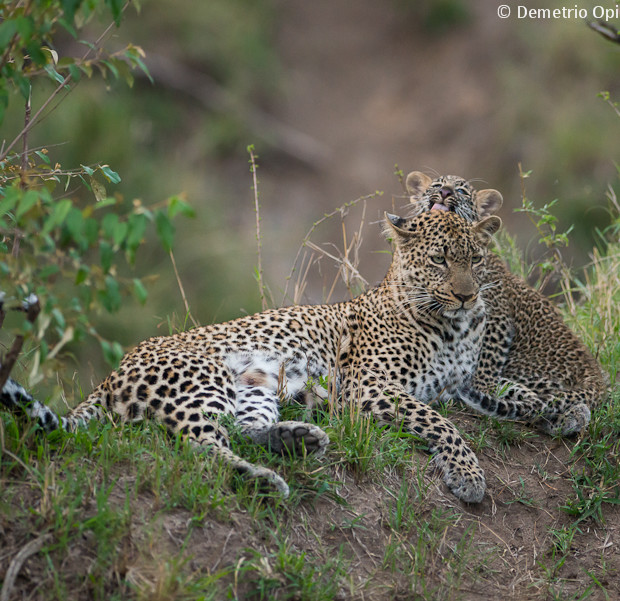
pixel 451 361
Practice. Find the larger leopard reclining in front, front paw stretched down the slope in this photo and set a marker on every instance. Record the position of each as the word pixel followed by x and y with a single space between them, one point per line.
pixel 411 340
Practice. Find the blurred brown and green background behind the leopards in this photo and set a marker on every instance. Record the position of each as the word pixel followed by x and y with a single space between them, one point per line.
pixel 333 94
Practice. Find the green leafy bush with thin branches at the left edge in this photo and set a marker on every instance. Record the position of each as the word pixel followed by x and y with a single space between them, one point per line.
pixel 62 237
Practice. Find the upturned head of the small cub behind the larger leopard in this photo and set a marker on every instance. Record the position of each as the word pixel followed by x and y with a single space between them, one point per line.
pixel 451 193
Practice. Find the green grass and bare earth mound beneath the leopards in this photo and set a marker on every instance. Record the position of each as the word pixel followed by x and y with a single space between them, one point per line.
pixel 132 513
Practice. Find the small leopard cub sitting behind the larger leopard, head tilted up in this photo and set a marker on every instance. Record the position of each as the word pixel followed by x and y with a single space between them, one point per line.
pixel 527 346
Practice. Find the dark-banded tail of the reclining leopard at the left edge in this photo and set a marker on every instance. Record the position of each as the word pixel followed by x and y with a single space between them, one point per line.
pixel 16 398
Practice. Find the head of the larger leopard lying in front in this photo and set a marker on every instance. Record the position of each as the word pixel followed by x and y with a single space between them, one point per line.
pixel 439 262
